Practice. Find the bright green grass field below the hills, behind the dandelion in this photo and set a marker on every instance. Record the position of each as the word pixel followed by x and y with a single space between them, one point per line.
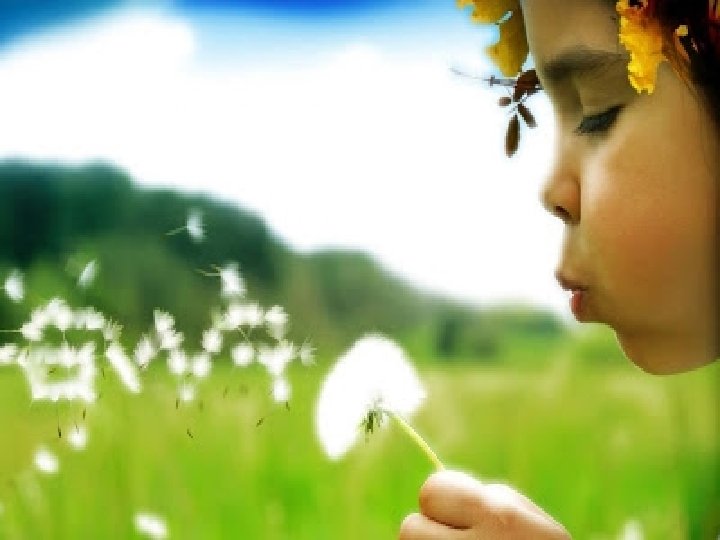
pixel 595 447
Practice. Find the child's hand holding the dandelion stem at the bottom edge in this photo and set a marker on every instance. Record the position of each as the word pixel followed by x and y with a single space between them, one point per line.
pixel 455 506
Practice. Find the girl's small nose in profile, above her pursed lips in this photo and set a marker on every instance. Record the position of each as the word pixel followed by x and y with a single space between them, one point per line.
pixel 560 193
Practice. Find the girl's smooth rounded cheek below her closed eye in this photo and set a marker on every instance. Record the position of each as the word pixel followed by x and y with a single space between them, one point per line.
pixel 649 234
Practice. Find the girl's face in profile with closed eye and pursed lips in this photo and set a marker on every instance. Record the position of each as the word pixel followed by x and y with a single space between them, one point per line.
pixel 635 180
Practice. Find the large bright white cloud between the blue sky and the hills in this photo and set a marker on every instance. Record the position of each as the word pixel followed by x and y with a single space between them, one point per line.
pixel 359 147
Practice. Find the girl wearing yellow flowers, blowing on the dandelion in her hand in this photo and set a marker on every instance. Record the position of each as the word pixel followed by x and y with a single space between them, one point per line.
pixel 635 89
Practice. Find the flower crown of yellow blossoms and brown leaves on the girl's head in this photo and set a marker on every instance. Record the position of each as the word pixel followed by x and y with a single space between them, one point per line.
pixel 640 31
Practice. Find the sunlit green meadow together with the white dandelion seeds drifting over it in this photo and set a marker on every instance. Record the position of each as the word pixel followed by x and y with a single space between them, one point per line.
pixel 219 440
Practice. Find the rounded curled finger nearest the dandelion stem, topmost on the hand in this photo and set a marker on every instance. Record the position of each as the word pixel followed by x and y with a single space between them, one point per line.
pixel 452 498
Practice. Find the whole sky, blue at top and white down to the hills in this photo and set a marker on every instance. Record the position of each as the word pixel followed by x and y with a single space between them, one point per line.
pixel 340 123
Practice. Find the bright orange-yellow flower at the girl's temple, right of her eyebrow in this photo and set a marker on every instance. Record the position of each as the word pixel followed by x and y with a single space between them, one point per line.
pixel 642 37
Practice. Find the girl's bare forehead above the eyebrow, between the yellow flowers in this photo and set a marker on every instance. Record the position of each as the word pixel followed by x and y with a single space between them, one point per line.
pixel 557 26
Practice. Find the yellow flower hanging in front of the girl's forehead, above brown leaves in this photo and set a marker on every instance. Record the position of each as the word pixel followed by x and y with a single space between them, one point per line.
pixel 511 50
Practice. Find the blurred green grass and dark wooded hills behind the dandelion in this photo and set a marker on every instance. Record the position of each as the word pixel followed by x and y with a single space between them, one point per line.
pixel 515 394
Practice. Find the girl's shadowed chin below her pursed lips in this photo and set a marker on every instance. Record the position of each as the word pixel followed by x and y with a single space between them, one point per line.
pixel 665 354
